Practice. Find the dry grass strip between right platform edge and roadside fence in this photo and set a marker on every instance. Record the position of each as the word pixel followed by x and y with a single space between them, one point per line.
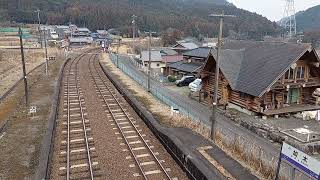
pixel 160 112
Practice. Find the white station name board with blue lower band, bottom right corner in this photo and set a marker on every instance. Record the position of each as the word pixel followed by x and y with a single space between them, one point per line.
pixel 302 161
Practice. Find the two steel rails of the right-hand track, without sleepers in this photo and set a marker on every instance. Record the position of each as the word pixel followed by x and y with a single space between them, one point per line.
pixel 127 116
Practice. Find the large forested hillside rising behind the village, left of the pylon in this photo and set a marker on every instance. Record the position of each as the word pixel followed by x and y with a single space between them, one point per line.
pixel 189 16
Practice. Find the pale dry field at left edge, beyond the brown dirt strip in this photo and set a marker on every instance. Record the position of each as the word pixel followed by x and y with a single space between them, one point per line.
pixel 11 65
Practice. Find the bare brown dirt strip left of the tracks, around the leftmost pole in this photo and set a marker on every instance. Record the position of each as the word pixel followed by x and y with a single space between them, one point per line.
pixel 20 141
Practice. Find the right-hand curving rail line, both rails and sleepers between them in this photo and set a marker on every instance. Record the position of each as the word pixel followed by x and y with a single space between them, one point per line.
pixel 127 127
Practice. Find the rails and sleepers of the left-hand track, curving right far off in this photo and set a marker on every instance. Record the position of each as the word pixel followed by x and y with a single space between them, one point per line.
pixel 75 103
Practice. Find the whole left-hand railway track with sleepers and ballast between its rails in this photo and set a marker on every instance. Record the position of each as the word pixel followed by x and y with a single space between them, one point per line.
pixel 78 159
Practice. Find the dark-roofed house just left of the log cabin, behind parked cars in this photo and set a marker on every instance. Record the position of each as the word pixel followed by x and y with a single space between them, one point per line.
pixel 191 64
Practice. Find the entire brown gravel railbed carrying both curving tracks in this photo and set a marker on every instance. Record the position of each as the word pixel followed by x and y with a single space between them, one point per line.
pixel 119 145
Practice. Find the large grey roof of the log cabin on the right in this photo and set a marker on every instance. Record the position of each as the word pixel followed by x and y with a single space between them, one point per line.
pixel 253 67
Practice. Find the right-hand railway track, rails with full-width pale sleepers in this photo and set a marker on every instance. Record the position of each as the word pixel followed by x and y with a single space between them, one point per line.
pixel 149 166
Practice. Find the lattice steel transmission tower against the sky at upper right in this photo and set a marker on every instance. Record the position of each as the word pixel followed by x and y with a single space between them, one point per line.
pixel 289 19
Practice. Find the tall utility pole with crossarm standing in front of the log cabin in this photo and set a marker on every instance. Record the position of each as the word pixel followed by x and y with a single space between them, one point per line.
pixel 213 117
